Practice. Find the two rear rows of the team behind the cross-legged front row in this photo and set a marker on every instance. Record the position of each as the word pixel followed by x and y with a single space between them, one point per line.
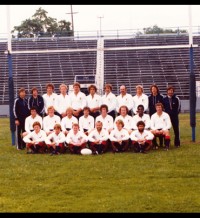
pixel 66 109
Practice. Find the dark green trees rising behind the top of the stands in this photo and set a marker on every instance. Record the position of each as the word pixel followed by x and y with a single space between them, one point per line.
pixel 41 25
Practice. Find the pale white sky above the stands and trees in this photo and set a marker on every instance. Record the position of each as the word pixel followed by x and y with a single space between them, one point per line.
pixel 90 18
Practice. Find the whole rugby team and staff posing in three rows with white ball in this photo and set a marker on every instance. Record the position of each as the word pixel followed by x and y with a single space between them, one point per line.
pixel 79 123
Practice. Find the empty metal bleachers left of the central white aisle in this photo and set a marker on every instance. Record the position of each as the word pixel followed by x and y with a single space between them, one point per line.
pixel 38 69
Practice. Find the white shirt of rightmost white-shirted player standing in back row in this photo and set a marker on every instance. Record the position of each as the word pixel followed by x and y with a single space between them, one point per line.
pixel 137 100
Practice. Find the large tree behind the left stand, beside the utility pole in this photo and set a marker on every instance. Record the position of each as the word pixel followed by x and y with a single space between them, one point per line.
pixel 42 25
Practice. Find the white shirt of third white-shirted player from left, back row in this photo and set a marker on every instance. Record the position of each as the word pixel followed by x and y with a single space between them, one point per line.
pixel 78 101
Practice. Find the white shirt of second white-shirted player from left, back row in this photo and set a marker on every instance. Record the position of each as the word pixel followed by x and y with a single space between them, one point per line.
pixel 62 103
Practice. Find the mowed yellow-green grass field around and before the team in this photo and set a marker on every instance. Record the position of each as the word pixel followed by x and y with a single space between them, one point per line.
pixel 160 181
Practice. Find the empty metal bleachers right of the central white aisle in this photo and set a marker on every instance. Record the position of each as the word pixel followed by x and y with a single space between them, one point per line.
pixel 164 67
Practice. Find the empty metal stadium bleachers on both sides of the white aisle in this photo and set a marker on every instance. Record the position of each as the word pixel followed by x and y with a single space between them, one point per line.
pixel 130 67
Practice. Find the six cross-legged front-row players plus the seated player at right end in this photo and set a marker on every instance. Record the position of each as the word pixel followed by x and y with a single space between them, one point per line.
pixel 99 139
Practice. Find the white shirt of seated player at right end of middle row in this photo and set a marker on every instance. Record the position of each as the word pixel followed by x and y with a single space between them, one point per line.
pixel 160 122
